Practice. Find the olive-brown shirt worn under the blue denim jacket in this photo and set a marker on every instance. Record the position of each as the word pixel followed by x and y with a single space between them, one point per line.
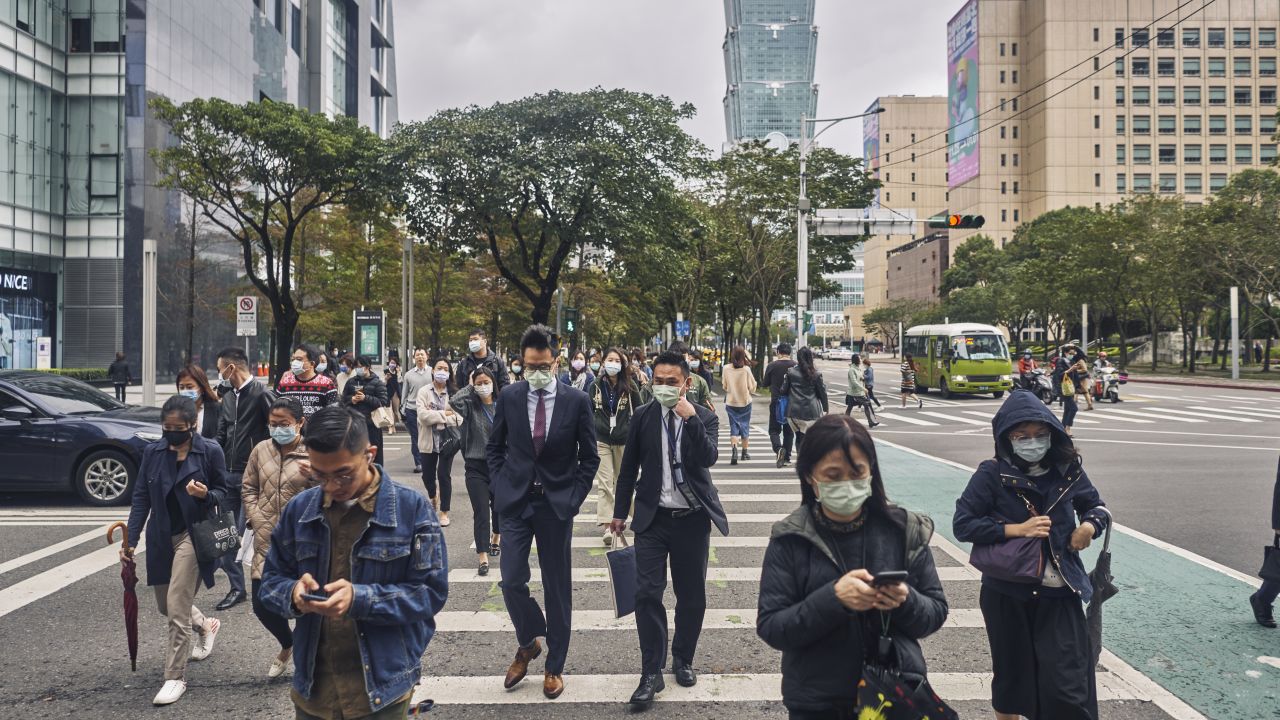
pixel 339 682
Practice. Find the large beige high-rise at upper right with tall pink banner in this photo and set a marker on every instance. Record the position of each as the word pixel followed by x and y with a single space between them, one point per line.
pixel 1084 103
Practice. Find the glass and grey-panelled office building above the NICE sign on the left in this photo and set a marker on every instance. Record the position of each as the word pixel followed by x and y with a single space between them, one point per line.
pixel 79 193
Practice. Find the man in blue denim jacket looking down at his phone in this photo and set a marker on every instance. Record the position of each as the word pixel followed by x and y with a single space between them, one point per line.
pixel 362 628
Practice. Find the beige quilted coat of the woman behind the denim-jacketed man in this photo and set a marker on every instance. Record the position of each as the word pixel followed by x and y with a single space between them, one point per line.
pixel 271 481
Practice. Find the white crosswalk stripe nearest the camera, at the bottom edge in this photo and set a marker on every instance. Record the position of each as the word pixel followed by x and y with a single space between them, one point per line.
pixel 739 687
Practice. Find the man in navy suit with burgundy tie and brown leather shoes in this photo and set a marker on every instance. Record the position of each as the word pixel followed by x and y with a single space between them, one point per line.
pixel 542 461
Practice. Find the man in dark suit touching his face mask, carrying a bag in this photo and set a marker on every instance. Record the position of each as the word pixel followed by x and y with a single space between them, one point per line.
pixel 673 446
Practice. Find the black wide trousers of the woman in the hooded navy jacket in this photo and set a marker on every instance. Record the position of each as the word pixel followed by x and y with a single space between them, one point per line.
pixel 1041 658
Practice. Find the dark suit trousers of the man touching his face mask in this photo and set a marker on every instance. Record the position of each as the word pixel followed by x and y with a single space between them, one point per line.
pixel 687 543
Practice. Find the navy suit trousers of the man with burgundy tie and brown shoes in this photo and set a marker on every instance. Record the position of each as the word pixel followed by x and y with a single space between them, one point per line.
pixel 555 539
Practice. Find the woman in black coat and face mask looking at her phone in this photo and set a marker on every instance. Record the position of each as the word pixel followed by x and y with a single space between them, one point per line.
pixel 820 604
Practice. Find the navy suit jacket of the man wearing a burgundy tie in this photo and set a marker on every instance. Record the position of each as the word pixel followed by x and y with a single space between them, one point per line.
pixel 568 464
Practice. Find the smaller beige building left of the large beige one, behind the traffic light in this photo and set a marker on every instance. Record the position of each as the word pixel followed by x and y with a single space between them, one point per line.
pixel 895 145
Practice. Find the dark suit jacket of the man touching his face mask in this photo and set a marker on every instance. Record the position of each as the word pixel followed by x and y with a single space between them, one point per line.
pixel 644 457
